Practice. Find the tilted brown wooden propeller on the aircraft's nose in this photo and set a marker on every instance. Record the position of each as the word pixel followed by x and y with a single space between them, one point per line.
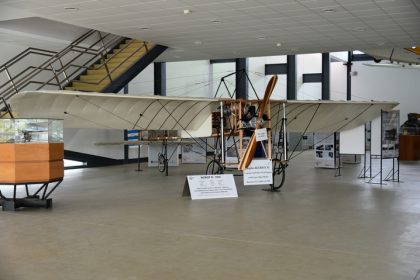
pixel 252 145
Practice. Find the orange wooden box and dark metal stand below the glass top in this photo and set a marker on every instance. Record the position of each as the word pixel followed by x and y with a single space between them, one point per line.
pixel 30 164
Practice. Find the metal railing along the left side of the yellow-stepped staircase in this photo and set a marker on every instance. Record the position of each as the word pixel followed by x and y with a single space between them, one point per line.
pixel 35 69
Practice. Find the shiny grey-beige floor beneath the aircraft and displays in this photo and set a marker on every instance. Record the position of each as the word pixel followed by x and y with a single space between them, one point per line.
pixel 116 223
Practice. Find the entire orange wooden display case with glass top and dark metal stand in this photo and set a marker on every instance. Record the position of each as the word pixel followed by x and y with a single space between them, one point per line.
pixel 31 153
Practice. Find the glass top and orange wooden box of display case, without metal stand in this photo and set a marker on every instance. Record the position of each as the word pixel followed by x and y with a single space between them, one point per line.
pixel 31 150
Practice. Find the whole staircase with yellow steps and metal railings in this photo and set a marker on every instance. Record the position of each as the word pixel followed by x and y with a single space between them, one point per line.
pixel 96 61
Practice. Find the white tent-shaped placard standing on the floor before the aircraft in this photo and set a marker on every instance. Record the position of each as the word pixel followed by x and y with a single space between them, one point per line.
pixel 210 186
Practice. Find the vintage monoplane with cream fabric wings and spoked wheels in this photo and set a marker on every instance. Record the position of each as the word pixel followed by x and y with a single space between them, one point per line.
pixel 196 118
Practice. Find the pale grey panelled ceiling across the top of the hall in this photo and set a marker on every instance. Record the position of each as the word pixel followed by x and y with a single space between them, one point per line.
pixel 243 28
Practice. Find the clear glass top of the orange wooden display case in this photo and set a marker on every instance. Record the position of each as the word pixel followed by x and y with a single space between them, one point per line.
pixel 31 131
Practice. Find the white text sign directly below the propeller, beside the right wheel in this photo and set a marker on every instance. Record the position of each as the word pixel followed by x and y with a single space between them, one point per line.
pixel 259 172
